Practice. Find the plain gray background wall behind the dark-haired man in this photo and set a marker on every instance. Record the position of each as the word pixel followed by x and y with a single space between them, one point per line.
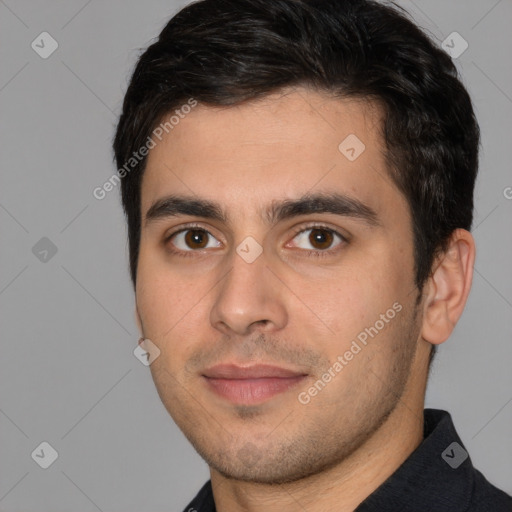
pixel 68 373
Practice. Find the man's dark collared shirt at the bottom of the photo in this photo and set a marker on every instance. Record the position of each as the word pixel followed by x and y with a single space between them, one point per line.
pixel 437 477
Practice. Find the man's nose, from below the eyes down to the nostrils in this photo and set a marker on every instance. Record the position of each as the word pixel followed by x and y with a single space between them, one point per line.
pixel 249 298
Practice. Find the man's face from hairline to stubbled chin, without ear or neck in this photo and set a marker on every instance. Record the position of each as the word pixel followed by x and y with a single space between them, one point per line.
pixel 218 309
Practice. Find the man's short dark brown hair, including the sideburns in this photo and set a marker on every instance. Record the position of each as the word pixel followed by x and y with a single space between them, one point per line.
pixel 226 52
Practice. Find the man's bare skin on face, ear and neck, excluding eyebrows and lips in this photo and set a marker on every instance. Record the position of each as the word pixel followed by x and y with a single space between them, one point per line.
pixel 289 308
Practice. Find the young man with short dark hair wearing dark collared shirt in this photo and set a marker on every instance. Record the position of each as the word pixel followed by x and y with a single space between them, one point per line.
pixel 299 195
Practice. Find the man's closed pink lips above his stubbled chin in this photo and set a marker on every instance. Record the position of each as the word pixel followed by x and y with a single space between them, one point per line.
pixel 250 385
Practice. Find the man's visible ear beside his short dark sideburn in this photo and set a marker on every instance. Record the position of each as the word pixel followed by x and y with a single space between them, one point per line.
pixel 448 287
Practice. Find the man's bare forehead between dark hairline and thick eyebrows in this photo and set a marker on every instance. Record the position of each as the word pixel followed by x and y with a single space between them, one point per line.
pixel 280 147
